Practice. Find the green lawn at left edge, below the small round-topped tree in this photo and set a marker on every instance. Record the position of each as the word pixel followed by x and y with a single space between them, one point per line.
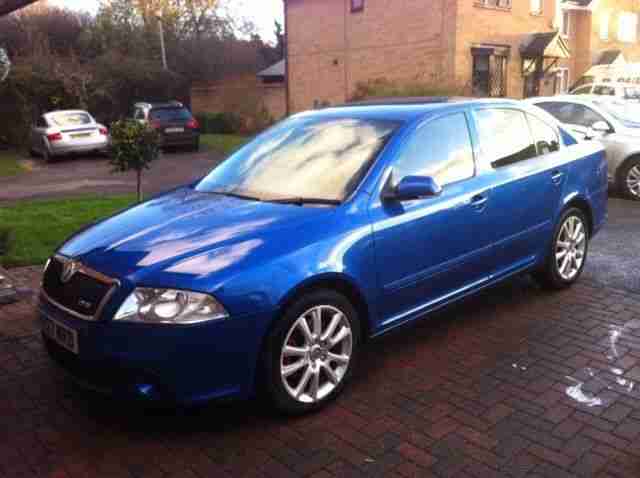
pixel 38 227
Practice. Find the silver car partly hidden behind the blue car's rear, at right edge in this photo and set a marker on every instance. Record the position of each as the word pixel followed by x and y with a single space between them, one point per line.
pixel 615 123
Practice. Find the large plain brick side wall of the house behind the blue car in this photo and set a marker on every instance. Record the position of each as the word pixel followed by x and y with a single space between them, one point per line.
pixel 332 49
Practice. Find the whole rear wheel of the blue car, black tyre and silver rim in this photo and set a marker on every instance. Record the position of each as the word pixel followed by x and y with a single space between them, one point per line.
pixel 568 252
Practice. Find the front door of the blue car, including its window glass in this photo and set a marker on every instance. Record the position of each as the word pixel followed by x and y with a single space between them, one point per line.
pixel 429 250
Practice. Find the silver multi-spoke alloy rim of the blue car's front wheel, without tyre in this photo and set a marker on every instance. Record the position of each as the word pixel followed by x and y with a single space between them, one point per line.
pixel 316 354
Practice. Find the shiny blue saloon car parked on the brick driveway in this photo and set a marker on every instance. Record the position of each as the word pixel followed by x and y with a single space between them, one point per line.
pixel 330 228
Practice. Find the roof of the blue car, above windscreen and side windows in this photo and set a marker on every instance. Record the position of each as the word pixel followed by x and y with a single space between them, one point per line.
pixel 404 109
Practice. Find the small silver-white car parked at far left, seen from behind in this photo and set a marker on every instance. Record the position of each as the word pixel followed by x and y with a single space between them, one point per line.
pixel 60 133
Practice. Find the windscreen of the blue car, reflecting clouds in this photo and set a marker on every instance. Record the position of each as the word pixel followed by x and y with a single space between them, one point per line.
pixel 303 157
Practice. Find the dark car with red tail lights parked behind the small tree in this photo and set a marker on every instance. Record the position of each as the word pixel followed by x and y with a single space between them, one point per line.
pixel 176 124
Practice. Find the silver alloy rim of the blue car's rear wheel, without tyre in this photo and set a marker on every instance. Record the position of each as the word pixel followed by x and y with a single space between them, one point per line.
pixel 571 246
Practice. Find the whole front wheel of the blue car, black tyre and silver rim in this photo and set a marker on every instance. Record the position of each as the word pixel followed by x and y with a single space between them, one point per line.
pixel 311 352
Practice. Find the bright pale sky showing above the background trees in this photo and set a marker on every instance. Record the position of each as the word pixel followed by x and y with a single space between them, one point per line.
pixel 262 12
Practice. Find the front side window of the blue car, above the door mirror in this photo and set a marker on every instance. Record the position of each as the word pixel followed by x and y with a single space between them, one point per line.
pixel 441 149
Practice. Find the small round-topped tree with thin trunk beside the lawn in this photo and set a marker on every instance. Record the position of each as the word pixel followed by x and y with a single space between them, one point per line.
pixel 134 146
